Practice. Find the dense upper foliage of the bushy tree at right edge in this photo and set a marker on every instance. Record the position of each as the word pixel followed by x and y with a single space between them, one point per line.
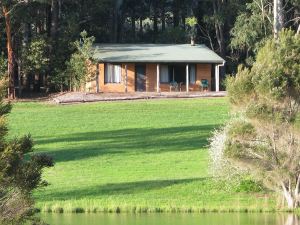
pixel 272 81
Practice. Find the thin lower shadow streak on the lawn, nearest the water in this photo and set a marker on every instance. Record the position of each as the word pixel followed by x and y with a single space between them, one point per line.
pixel 117 189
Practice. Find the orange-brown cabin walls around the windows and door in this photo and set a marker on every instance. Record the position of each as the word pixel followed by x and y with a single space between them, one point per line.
pixel 203 71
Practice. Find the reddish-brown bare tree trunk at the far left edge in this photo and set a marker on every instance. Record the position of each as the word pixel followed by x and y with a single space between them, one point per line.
pixel 10 53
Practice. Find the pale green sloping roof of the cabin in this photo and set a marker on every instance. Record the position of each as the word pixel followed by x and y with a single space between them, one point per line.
pixel 155 53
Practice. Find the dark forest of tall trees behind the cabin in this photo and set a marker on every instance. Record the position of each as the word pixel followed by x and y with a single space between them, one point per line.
pixel 38 36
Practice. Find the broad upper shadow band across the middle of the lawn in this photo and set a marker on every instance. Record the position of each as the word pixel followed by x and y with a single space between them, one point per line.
pixel 79 146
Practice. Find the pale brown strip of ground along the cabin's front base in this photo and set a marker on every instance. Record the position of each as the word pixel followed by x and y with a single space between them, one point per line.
pixel 79 97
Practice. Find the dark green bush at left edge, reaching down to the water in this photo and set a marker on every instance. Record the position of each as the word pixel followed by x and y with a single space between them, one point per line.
pixel 18 176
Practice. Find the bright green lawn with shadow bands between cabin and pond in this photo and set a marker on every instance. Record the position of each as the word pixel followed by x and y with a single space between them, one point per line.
pixel 140 156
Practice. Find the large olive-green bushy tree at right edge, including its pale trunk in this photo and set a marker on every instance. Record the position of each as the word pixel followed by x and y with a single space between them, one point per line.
pixel 264 138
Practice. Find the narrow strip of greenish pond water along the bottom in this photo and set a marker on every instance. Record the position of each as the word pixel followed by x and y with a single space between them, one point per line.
pixel 172 219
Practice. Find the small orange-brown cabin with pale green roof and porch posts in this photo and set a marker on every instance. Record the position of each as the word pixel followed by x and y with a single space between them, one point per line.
pixel 156 68
